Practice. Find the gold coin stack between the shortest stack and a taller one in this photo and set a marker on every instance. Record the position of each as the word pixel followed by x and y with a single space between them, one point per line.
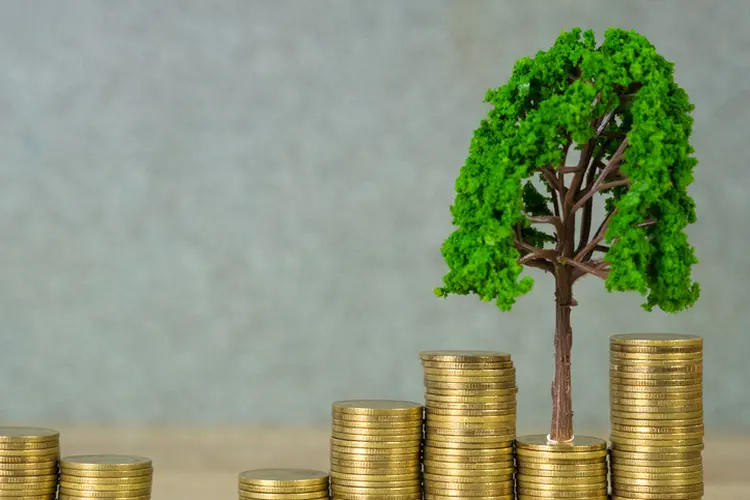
pixel 375 450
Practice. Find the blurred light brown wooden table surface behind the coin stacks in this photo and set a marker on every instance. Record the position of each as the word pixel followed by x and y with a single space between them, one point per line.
pixel 202 464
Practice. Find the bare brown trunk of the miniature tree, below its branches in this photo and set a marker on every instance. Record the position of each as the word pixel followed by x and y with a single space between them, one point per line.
pixel 562 401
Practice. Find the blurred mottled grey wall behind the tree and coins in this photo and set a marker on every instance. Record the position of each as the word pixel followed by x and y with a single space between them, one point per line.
pixel 231 212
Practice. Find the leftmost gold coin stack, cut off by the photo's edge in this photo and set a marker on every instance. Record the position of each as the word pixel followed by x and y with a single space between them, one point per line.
pixel 28 462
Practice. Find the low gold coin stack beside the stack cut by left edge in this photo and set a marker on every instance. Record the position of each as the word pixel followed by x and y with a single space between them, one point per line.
pixel 107 477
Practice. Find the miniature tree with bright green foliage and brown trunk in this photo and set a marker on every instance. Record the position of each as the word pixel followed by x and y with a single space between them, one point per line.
pixel 619 106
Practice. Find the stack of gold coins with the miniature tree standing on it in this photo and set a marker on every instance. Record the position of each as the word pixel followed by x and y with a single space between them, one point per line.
pixel 574 470
